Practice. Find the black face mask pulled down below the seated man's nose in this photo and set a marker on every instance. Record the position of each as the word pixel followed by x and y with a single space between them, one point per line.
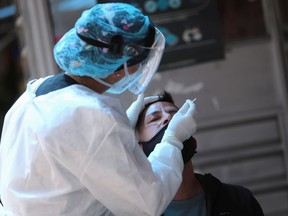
pixel 188 150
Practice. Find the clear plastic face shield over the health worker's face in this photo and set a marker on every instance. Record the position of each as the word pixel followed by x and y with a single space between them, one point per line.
pixel 140 68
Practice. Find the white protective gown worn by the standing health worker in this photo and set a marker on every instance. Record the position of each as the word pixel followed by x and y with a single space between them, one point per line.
pixel 71 152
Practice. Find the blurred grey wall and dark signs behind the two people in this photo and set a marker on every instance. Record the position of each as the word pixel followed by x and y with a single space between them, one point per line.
pixel 232 55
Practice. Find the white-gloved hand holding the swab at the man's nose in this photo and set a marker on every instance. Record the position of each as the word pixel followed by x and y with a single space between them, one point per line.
pixel 182 125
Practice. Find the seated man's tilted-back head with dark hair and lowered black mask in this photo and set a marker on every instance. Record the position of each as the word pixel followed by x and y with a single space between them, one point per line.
pixel 153 121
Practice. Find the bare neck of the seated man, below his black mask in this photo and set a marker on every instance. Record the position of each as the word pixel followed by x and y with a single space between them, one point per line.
pixel 190 186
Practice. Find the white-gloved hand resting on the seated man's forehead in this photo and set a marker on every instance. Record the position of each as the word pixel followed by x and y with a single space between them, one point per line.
pixel 137 107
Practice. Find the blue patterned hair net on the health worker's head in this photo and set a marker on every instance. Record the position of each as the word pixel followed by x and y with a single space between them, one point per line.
pixel 101 23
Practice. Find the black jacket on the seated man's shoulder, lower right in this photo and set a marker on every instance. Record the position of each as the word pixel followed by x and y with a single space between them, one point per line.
pixel 228 200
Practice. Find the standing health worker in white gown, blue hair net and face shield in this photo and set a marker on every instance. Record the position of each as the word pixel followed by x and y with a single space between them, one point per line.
pixel 68 149
